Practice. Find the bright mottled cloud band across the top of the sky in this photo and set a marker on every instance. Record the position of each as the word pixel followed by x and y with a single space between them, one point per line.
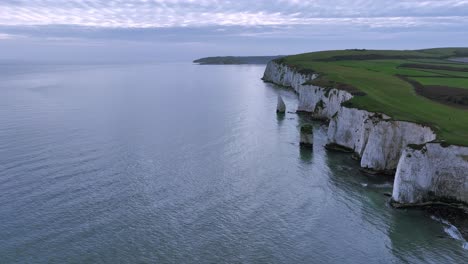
pixel 196 13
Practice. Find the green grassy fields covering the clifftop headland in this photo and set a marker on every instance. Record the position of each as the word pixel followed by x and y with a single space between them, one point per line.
pixel 421 86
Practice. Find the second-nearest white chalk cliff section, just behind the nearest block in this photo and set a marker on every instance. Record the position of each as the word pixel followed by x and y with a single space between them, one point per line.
pixel 375 138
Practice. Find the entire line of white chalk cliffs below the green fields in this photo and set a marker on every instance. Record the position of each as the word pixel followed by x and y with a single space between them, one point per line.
pixel 382 143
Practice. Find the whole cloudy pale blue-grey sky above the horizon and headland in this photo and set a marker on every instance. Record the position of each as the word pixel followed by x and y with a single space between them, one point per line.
pixel 183 30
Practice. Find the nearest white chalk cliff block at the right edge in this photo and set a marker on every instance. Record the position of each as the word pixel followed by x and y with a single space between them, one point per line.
pixel 430 172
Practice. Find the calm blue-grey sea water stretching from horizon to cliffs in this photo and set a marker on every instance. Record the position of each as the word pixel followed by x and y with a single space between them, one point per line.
pixel 179 163
